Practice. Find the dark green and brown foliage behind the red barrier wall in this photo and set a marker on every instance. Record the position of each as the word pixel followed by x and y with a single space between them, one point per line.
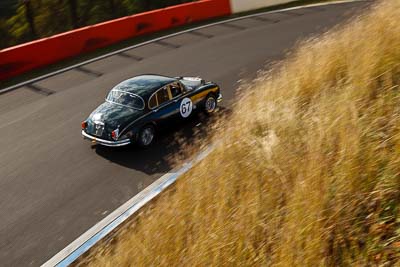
pixel 26 20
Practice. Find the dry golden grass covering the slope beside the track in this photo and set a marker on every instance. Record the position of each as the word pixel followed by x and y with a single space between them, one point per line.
pixel 307 170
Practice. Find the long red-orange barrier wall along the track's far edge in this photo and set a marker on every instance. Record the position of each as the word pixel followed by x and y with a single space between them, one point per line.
pixel 19 59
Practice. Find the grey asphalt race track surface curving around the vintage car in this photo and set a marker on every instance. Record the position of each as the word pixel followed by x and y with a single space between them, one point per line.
pixel 54 186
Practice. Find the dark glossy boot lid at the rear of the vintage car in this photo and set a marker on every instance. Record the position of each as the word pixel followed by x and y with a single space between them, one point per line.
pixel 114 115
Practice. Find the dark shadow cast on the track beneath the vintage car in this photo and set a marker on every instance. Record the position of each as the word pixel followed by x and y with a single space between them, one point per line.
pixel 170 144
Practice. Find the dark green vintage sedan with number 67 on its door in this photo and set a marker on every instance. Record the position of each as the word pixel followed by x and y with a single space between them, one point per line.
pixel 135 109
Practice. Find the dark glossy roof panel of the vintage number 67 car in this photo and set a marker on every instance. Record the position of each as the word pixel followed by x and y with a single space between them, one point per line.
pixel 144 85
